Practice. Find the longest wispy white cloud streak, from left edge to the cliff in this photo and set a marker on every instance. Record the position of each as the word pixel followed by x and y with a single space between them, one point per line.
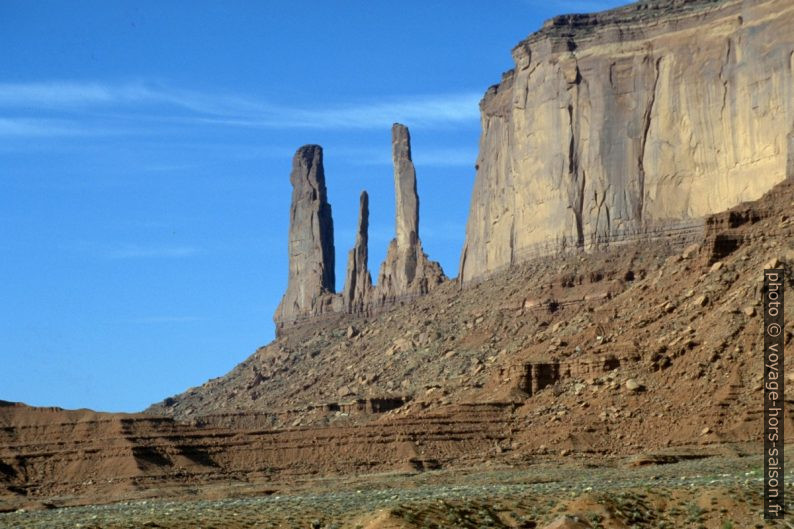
pixel 137 100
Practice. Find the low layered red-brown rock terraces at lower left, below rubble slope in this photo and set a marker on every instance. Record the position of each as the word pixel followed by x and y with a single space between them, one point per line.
pixel 80 456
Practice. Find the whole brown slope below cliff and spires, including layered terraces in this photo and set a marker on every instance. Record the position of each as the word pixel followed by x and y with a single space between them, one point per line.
pixel 650 346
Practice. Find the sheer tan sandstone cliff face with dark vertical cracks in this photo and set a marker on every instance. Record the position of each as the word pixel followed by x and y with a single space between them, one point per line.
pixel 657 112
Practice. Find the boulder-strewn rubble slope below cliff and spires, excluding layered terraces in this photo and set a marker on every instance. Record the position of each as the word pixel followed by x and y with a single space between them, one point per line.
pixel 677 314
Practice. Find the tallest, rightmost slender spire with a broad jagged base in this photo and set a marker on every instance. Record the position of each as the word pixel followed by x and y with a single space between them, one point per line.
pixel 406 270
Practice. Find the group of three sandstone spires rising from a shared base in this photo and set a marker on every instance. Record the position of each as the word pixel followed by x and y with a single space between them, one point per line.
pixel 406 271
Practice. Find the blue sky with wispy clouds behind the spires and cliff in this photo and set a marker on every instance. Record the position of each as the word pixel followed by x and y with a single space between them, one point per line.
pixel 145 150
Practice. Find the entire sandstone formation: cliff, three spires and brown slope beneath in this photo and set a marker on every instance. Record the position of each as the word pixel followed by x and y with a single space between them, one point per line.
pixel 661 113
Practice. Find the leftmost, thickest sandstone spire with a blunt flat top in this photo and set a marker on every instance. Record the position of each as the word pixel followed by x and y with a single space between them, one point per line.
pixel 311 240
